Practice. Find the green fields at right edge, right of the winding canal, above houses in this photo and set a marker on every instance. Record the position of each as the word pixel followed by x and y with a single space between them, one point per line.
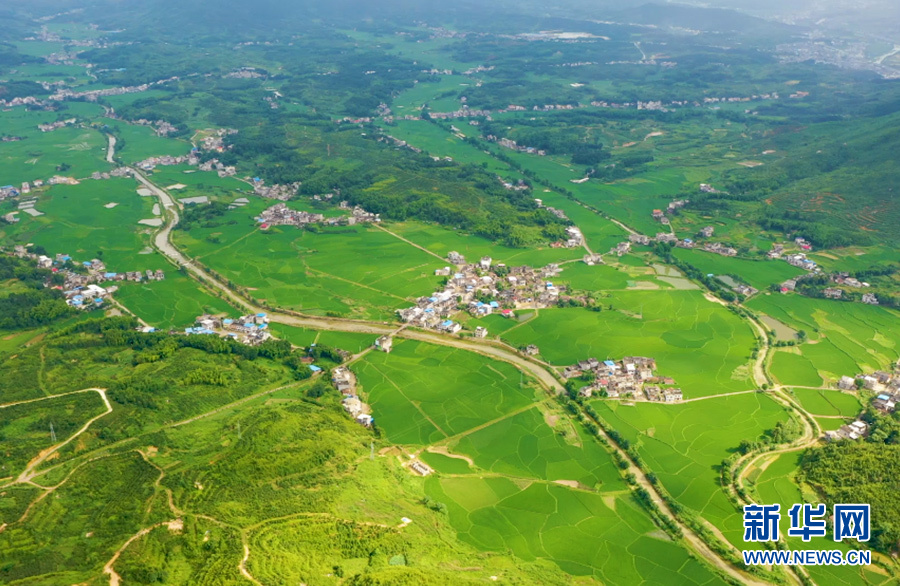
pixel 844 338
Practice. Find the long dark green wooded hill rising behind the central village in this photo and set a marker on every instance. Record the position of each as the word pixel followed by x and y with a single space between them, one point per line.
pixel 399 185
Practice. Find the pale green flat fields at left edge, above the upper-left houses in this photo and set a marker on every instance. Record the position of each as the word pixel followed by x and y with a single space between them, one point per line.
pixel 71 151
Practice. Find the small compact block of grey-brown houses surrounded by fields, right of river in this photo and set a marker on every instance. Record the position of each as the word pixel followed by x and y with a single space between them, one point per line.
pixel 632 376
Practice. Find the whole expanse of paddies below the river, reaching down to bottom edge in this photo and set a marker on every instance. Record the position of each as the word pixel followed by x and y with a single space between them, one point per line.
pixel 538 486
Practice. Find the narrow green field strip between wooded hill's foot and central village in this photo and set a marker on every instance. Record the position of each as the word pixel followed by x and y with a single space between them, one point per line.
pixel 442 241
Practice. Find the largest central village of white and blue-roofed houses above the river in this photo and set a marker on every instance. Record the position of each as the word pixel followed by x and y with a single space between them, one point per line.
pixel 483 289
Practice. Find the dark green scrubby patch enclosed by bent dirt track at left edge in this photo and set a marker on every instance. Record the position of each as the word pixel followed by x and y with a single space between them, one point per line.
pixel 25 430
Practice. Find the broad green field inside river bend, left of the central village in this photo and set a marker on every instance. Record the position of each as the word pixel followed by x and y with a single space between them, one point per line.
pixel 356 271
